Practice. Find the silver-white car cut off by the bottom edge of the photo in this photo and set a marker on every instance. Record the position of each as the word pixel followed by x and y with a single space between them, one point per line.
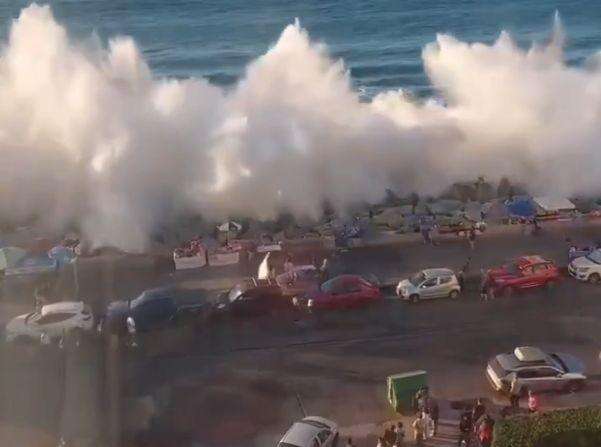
pixel 312 431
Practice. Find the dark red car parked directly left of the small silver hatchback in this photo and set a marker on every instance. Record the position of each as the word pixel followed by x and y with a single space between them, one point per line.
pixel 342 292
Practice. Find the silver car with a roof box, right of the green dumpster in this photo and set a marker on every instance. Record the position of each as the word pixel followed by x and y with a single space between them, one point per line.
pixel 535 370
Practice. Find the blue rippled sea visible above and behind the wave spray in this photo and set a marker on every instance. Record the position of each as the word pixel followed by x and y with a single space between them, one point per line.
pixel 380 41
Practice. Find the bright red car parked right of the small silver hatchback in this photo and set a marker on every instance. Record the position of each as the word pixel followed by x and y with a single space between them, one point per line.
pixel 526 272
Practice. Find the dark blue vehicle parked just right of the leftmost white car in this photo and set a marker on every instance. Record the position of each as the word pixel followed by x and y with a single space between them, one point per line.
pixel 155 309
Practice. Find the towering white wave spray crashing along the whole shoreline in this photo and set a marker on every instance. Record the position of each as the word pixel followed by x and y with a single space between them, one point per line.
pixel 87 133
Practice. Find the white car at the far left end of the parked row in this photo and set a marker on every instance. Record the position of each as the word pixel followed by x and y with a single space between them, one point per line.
pixel 51 322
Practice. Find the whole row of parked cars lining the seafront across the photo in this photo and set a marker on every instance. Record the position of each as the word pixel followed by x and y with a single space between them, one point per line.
pixel 167 306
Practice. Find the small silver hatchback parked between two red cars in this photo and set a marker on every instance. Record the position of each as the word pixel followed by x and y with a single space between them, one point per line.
pixel 429 284
